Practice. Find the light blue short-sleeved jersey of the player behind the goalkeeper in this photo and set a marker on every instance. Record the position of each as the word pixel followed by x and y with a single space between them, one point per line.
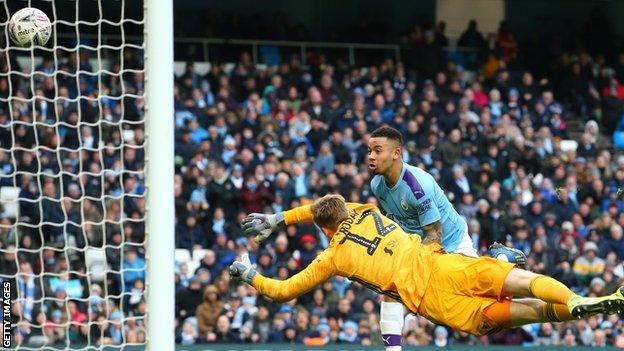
pixel 415 201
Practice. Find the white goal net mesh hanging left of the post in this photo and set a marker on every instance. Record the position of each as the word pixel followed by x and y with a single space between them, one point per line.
pixel 71 176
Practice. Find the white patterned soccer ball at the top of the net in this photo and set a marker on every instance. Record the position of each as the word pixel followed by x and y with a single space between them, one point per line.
pixel 30 26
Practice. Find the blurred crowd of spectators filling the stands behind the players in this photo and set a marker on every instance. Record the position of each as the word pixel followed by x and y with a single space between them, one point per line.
pixel 267 139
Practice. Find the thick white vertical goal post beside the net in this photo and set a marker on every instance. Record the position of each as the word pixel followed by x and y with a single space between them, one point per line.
pixel 160 174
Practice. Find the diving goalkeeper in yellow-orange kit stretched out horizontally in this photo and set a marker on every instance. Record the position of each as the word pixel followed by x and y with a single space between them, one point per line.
pixel 469 294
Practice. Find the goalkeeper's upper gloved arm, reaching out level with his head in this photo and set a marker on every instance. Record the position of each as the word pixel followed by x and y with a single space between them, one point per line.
pixel 262 225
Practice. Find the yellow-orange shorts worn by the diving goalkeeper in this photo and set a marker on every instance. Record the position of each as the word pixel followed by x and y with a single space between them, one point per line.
pixel 460 290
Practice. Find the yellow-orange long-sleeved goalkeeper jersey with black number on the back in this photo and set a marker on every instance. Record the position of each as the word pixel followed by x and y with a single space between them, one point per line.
pixel 368 248
